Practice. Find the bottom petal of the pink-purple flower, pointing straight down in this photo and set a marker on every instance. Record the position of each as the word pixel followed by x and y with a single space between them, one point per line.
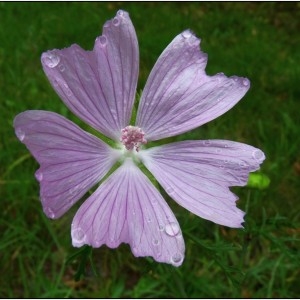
pixel 127 208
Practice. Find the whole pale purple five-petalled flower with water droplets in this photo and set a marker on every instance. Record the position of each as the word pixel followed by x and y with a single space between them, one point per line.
pixel 99 87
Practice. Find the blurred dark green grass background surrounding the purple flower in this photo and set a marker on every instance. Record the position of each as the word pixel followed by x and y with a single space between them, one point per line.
pixel 257 40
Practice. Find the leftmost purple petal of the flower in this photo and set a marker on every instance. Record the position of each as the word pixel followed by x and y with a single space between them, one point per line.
pixel 71 160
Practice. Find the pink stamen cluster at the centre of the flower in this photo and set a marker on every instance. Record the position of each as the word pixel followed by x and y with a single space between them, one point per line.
pixel 132 137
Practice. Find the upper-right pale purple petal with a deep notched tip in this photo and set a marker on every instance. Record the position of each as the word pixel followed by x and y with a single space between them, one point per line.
pixel 179 96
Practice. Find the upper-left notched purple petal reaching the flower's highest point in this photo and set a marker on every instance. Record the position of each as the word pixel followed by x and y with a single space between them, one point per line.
pixel 99 86
